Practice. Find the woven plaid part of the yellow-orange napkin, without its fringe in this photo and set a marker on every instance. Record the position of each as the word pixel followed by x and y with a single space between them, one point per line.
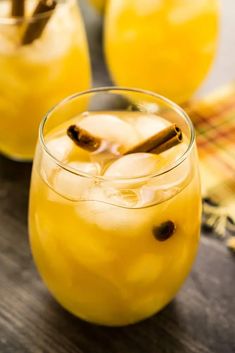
pixel 214 120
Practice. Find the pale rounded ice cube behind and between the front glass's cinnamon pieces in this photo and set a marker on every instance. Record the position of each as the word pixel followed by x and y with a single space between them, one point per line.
pixel 110 128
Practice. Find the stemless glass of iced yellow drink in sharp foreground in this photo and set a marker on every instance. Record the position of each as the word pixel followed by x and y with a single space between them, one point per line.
pixel 114 241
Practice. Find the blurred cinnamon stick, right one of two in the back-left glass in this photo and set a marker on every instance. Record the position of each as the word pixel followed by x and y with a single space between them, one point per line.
pixel 36 26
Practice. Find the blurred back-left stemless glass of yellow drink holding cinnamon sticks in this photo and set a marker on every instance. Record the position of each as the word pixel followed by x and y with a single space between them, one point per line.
pixel 43 58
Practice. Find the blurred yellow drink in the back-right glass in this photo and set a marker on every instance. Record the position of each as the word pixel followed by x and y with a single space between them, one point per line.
pixel 166 46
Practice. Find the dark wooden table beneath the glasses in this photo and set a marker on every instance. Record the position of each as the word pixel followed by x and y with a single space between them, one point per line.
pixel 200 320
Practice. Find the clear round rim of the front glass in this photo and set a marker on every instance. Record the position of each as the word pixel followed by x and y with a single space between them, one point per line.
pixel 173 105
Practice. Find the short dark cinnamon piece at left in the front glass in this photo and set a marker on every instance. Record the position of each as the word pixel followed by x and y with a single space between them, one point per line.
pixel 83 138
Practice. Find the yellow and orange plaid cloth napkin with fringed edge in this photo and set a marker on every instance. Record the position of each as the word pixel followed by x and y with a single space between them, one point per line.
pixel 214 120
